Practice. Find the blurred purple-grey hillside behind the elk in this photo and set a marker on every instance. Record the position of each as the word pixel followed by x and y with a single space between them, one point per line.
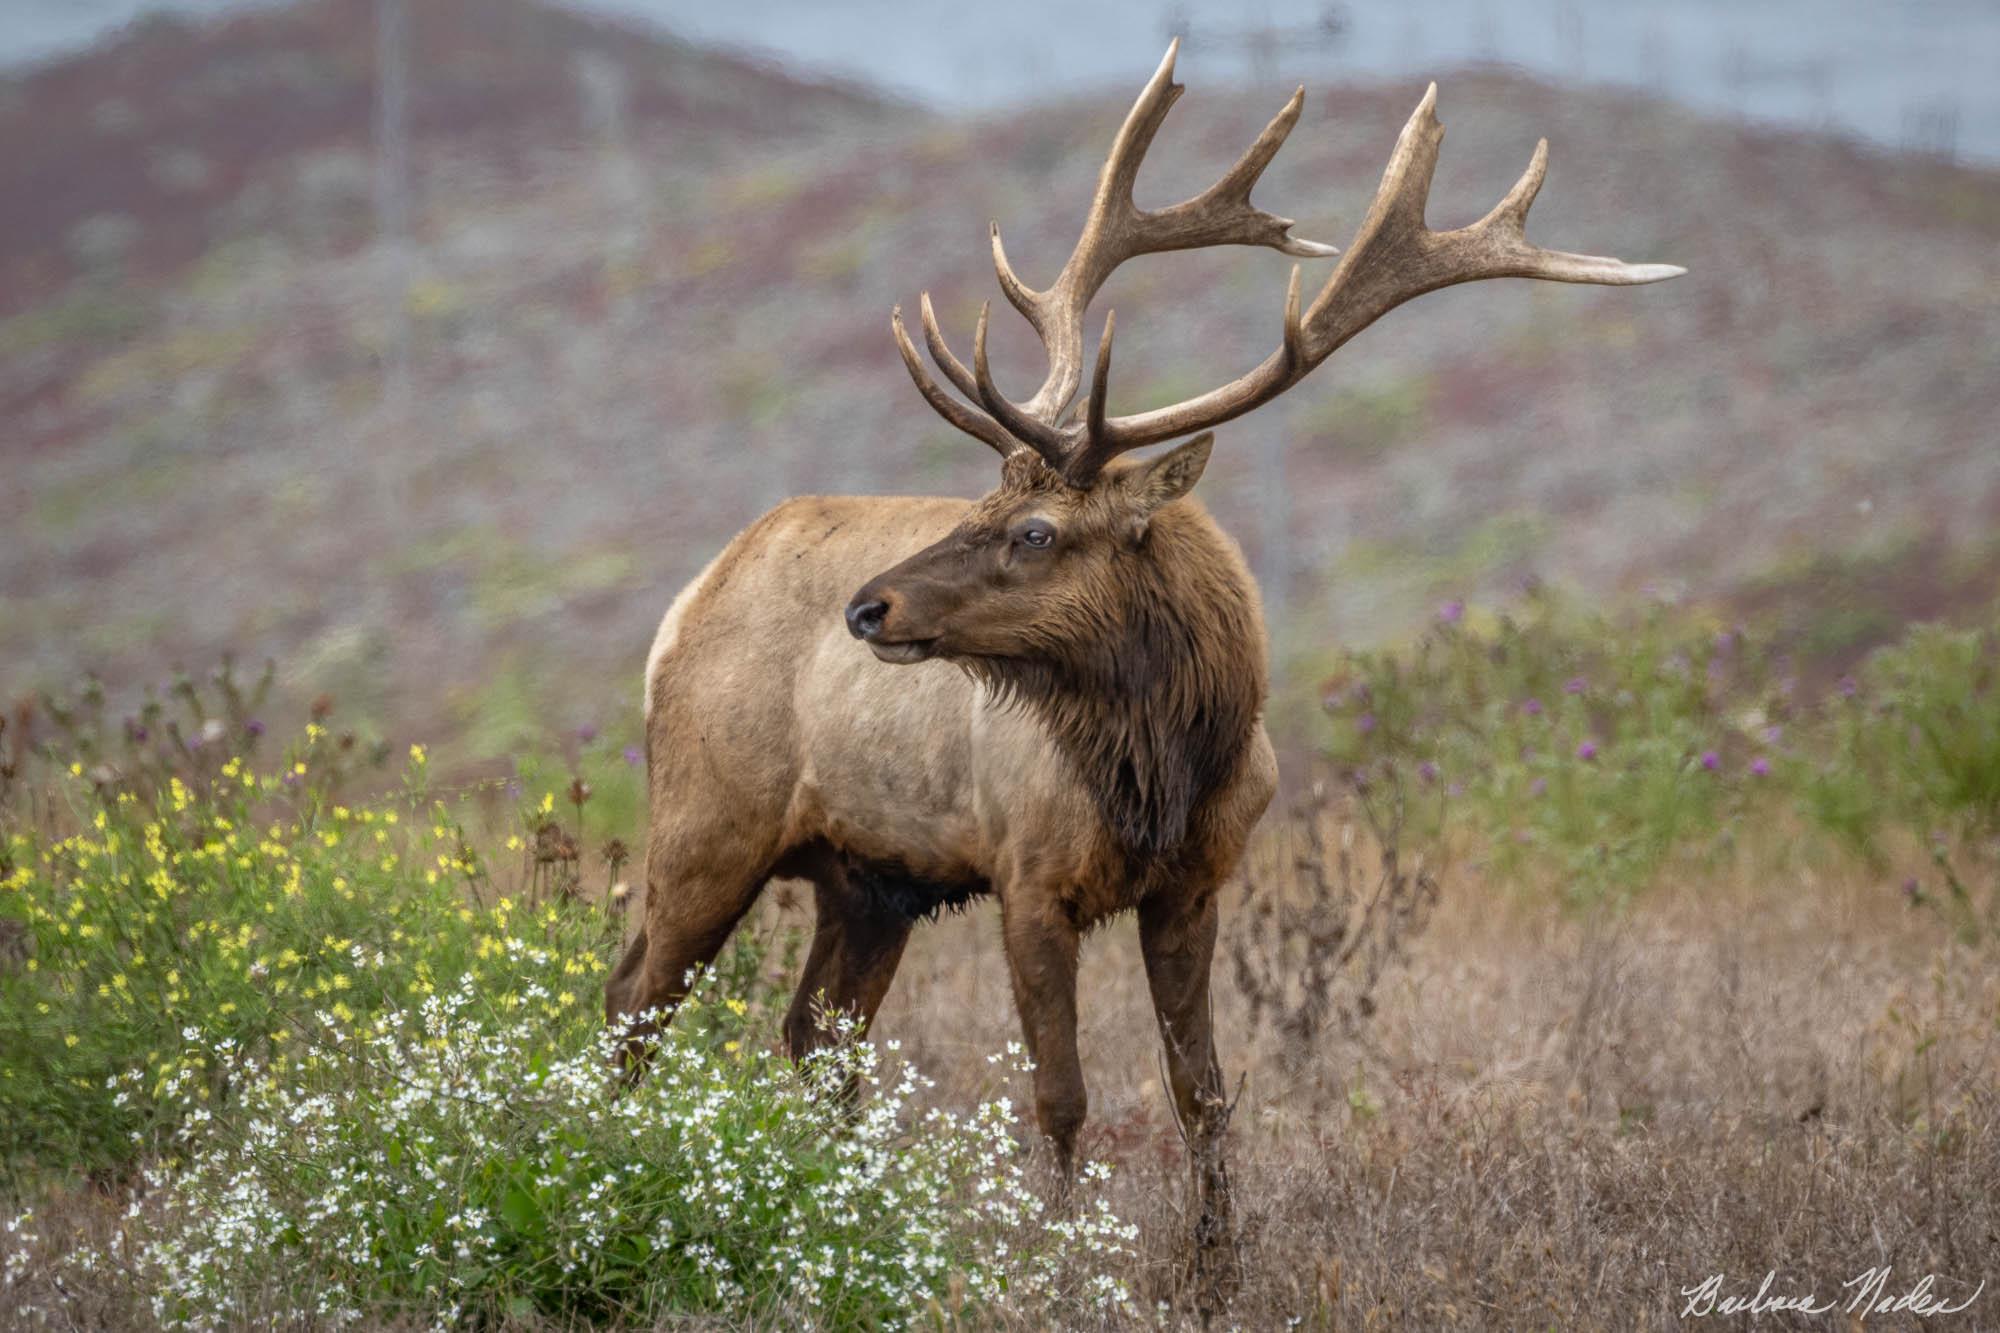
pixel 645 293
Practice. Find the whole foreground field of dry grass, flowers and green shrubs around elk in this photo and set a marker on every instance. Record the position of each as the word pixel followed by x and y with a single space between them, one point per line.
pixel 1475 1090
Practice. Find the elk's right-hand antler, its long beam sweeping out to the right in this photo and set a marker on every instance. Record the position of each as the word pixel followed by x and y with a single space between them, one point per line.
pixel 1393 259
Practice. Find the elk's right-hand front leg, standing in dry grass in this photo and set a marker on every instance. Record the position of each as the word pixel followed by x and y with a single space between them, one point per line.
pixel 1179 940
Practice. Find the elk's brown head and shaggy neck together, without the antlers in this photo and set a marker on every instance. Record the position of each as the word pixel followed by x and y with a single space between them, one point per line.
pixel 1117 613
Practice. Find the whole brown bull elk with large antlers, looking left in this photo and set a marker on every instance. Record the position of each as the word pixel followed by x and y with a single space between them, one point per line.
pixel 1063 688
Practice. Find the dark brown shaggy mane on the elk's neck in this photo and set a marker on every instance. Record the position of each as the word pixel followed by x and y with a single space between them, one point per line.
pixel 1157 702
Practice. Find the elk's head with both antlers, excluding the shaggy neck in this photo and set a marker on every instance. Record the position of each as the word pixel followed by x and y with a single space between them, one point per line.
pixel 1043 551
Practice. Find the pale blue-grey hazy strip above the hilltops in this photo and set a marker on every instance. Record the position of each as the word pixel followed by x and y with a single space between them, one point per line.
pixel 1917 73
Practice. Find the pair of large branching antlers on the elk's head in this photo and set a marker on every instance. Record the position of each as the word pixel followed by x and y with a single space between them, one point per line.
pixel 1393 259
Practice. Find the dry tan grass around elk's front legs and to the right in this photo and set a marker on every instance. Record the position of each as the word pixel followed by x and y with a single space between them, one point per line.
pixel 1561 1122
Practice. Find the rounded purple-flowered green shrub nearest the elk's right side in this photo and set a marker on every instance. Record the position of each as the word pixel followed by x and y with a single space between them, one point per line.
pixel 1573 748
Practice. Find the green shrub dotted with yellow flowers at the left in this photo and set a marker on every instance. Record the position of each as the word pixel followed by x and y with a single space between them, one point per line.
pixel 243 910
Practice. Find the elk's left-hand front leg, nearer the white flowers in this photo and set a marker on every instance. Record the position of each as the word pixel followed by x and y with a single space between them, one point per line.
pixel 1041 958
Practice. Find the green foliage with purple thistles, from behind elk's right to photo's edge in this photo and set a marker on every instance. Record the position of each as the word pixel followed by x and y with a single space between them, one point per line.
pixel 1601 752
